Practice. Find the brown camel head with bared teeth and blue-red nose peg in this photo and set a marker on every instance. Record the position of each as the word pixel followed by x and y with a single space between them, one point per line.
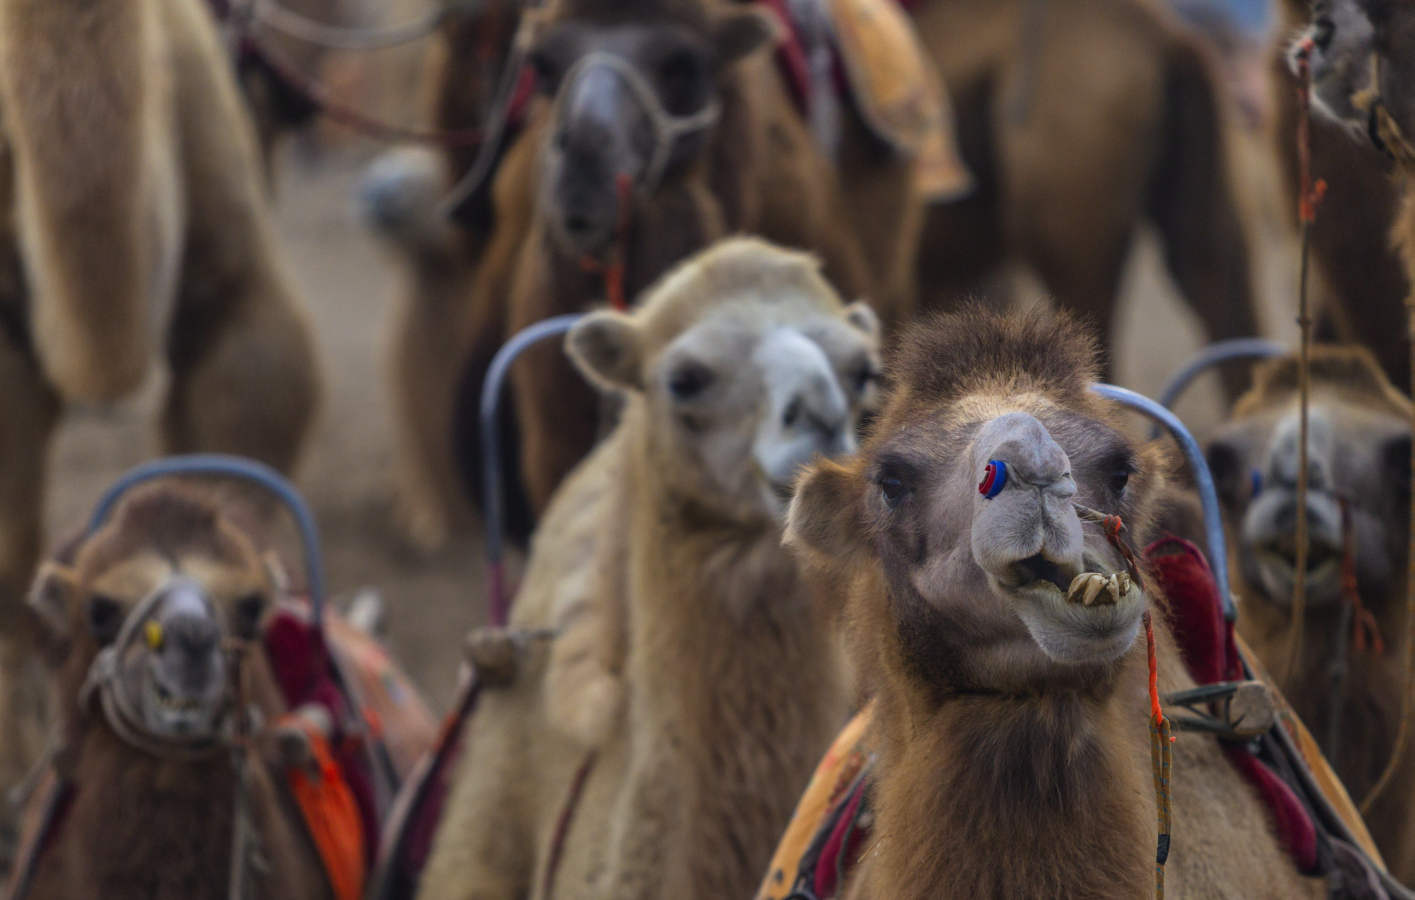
pixel 1004 594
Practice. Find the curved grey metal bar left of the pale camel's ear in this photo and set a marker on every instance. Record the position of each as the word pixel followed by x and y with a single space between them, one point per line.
pixel 492 471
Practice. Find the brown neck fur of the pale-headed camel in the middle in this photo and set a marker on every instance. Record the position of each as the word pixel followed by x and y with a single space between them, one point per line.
pixel 735 667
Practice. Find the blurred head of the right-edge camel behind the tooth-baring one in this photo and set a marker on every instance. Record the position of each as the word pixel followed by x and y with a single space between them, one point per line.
pixel 1359 445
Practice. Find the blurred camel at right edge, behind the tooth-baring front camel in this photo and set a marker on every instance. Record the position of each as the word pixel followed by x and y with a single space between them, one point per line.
pixel 1359 451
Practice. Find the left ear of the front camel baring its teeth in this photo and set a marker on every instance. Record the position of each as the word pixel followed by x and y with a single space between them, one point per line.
pixel 824 521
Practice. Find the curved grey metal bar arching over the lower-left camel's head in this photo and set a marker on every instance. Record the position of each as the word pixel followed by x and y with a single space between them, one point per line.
pixel 240 469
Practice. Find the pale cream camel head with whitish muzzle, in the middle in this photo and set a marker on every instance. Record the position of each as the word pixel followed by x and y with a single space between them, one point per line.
pixel 748 367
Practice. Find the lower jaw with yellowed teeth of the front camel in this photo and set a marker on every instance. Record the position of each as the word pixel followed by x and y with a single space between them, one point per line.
pixel 1095 622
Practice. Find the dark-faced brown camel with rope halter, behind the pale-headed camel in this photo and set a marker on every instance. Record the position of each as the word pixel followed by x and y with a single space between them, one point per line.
pixel 742 161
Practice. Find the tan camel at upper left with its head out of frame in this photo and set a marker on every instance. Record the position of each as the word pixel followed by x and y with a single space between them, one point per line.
pixel 135 230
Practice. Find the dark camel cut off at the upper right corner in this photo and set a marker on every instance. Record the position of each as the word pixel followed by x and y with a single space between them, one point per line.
pixel 1361 284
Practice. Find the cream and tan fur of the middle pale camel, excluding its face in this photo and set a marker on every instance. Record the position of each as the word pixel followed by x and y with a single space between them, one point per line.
pixel 691 662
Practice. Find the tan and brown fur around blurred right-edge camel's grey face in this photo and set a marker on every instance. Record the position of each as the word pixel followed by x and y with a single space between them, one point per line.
pixel 1348 387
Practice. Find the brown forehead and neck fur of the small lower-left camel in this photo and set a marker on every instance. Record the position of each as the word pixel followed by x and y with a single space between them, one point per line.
pixel 176 804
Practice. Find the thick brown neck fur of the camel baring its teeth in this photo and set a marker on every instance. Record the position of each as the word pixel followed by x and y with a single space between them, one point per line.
pixel 1005 796
